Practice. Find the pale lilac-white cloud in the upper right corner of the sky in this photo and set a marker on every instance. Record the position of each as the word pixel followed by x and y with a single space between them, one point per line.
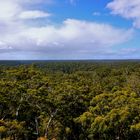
pixel 129 9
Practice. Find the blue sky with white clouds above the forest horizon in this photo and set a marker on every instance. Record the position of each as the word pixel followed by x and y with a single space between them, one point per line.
pixel 69 29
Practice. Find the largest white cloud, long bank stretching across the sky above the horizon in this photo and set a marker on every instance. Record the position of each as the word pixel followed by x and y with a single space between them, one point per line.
pixel 74 38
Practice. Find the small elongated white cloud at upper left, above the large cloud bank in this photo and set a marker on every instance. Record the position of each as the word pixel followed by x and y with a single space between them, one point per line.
pixel 34 14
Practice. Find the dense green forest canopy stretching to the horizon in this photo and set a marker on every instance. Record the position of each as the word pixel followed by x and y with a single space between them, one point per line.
pixel 70 100
